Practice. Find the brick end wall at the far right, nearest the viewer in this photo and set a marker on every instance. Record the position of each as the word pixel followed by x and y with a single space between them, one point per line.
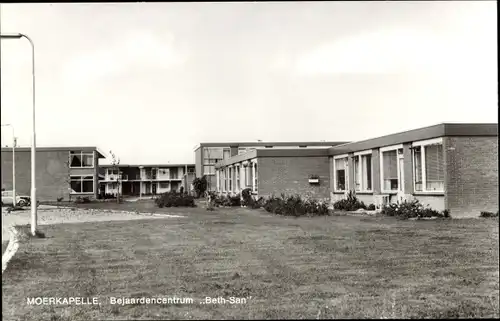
pixel 471 179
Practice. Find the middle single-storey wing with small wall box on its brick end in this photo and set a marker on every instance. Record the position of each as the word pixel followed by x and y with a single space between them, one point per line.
pixel 270 172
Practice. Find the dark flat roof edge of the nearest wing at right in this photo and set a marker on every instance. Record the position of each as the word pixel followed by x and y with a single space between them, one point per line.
pixel 440 130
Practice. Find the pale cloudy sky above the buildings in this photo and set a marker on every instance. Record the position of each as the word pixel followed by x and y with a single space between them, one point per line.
pixel 150 81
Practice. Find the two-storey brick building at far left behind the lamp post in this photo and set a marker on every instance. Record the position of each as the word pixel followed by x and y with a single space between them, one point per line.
pixel 60 171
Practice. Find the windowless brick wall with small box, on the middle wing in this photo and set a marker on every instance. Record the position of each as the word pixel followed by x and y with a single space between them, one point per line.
pixel 290 175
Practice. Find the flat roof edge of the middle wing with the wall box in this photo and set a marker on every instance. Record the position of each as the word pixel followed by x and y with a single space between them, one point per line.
pixel 262 153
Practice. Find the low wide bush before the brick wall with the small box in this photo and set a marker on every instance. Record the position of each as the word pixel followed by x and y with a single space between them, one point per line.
pixel 294 206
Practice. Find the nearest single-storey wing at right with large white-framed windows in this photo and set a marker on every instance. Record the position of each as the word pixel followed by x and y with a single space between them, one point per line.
pixel 446 166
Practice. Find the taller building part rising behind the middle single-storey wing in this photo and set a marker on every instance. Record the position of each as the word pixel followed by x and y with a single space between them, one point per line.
pixel 207 155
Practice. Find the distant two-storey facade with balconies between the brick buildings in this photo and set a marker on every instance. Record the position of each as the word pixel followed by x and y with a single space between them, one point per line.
pixel 144 180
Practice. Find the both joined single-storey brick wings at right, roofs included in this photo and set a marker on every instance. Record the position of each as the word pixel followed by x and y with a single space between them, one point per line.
pixel 447 166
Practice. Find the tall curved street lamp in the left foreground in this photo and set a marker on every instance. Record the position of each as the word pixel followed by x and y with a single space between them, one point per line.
pixel 33 143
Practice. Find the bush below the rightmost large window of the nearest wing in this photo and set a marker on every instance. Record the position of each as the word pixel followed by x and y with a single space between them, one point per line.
pixel 412 209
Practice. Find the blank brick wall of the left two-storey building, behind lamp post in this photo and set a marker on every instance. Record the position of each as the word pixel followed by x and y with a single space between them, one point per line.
pixel 52 174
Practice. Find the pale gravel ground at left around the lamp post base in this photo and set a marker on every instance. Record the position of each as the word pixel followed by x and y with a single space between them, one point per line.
pixel 48 215
